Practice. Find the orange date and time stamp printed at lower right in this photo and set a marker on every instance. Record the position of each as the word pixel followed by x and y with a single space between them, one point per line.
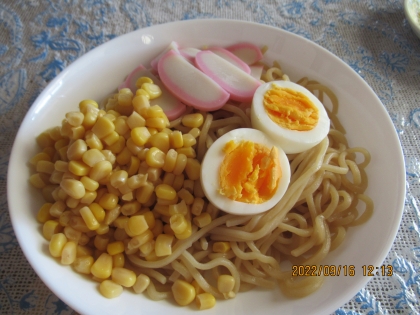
pixel 341 270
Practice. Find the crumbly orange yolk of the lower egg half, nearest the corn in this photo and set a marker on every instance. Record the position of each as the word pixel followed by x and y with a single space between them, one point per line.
pixel 250 172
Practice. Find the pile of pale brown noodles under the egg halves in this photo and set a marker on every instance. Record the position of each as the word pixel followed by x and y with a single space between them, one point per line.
pixel 311 220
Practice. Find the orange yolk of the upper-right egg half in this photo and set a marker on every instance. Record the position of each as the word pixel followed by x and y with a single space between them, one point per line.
pixel 290 109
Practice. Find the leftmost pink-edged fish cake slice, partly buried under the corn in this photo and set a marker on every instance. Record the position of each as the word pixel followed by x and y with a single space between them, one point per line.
pixel 172 106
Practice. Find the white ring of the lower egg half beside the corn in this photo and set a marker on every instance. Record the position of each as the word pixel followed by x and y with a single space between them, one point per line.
pixel 213 160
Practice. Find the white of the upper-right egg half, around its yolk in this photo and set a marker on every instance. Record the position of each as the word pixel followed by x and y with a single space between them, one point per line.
pixel 291 141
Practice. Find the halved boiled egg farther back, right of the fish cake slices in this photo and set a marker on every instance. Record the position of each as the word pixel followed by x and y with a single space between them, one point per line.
pixel 291 115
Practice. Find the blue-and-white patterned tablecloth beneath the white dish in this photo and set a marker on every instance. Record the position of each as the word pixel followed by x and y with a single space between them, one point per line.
pixel 39 38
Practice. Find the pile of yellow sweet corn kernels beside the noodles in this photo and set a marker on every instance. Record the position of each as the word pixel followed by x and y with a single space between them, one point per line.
pixel 117 181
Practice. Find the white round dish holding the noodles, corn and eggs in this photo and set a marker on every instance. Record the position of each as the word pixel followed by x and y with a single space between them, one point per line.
pixel 101 70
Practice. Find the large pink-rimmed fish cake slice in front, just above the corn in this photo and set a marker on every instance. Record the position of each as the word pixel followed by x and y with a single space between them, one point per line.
pixel 189 84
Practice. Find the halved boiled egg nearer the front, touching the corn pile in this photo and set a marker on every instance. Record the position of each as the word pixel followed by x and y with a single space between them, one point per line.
pixel 245 172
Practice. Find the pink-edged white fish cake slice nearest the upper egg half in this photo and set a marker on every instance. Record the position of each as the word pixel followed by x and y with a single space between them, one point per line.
pixel 240 85
